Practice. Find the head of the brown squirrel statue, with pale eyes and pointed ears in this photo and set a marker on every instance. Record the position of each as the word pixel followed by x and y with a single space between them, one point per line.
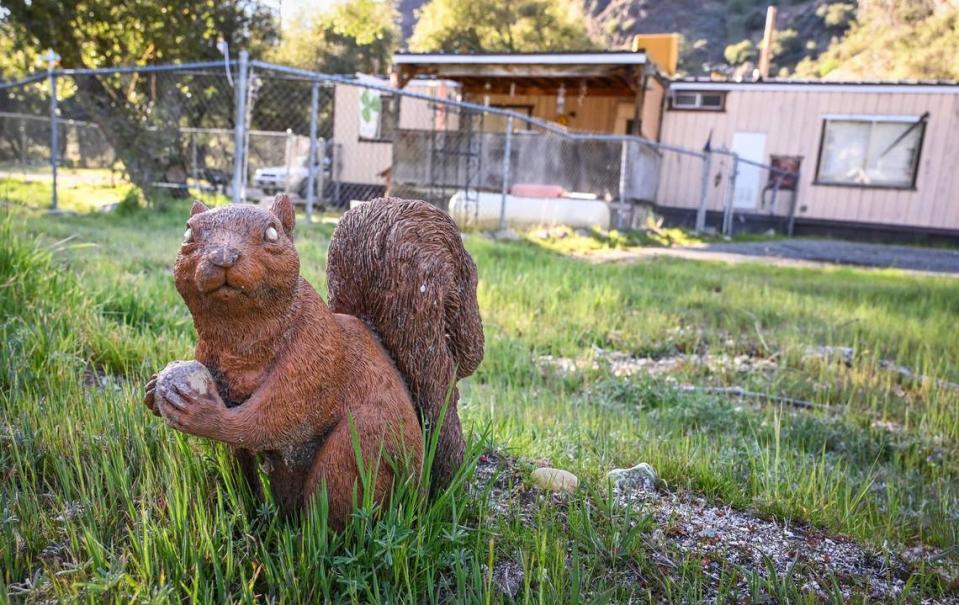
pixel 238 260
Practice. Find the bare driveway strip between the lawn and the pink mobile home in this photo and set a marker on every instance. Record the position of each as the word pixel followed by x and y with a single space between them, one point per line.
pixel 809 252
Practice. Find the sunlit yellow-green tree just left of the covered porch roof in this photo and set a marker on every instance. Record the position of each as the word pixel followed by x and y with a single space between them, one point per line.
pixel 350 37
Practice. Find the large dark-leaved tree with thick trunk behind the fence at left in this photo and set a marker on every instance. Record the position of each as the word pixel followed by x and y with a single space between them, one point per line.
pixel 135 113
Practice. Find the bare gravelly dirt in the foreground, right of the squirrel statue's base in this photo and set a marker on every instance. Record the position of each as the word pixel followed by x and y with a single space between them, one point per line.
pixel 689 526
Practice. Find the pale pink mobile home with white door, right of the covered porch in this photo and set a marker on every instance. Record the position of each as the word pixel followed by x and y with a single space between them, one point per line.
pixel 876 159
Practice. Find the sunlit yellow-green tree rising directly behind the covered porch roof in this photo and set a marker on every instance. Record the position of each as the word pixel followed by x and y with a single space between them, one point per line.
pixel 501 26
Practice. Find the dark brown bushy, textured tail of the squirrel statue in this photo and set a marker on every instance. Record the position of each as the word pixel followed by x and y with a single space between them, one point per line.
pixel 400 266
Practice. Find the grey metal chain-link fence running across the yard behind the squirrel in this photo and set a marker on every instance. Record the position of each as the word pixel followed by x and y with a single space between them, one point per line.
pixel 243 131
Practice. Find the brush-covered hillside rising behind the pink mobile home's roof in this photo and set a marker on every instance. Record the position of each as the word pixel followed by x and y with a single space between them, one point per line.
pixel 837 39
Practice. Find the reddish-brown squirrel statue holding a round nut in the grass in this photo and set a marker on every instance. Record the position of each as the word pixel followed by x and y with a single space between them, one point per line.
pixel 295 380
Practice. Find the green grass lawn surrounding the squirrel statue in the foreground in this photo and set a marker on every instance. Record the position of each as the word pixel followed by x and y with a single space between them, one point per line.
pixel 588 368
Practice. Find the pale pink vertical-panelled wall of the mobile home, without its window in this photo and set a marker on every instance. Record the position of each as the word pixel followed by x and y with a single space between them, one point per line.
pixel 792 121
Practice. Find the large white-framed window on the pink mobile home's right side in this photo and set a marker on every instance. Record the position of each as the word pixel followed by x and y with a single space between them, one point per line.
pixel 870 151
